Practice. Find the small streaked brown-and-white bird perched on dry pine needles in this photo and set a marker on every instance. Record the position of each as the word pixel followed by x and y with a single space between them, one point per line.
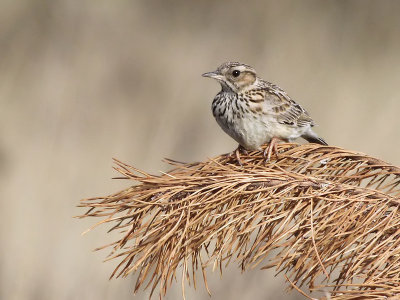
pixel 255 112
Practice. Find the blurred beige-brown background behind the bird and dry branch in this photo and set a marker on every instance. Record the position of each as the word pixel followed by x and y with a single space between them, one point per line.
pixel 84 81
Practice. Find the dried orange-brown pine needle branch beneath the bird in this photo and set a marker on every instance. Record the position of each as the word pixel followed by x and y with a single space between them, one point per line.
pixel 330 215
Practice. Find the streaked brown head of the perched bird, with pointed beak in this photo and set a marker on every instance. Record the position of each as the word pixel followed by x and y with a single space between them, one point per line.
pixel 233 76
